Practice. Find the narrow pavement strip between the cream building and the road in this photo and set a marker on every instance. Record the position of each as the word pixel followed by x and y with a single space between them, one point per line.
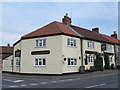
pixel 68 76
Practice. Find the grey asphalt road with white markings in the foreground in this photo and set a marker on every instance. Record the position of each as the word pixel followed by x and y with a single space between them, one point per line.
pixel 104 81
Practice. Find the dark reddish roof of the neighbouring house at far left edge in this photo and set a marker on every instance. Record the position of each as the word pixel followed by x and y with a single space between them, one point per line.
pixel 6 51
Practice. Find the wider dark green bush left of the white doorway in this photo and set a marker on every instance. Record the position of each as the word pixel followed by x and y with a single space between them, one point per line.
pixel 98 62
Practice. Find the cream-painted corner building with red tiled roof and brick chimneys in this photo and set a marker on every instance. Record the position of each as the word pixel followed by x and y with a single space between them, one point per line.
pixel 60 48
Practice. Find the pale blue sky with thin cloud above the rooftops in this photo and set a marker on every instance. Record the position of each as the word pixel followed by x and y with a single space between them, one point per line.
pixel 20 18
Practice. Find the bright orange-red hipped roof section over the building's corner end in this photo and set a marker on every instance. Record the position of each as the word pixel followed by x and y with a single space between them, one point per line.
pixel 52 28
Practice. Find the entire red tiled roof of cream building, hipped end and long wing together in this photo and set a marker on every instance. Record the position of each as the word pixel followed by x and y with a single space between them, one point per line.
pixel 57 28
